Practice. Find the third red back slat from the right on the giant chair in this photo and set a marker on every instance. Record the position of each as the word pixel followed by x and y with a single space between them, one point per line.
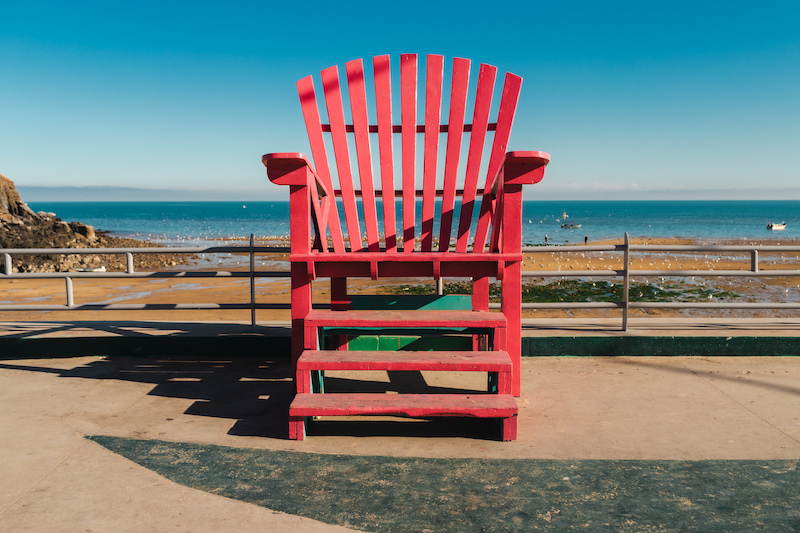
pixel 458 107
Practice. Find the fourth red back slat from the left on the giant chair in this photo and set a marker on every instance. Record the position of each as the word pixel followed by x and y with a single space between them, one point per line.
pixel 383 105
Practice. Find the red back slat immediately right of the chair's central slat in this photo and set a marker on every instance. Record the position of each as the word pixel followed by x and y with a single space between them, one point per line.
pixel 433 106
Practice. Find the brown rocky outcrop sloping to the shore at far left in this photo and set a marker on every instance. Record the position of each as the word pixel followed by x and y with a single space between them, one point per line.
pixel 21 227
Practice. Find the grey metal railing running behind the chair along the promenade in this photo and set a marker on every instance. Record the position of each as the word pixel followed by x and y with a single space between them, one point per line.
pixel 625 273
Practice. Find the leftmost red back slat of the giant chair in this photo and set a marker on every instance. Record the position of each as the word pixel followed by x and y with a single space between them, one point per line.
pixel 308 103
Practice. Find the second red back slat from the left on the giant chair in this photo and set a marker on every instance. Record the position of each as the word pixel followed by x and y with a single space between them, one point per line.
pixel 333 102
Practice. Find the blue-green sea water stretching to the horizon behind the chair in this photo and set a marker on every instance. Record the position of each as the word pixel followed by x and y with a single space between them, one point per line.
pixel 206 223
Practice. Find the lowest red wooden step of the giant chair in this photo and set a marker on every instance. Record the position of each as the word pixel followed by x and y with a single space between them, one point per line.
pixel 416 405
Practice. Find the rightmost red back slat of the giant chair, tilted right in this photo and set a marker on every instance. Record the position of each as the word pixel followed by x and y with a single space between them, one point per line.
pixel 505 119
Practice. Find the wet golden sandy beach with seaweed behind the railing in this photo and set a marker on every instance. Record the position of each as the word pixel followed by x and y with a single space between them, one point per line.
pixel 276 290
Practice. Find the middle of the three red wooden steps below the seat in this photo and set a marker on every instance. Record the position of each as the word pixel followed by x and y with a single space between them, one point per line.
pixel 465 361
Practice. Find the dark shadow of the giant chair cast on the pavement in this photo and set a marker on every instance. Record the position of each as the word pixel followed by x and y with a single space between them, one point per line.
pixel 255 393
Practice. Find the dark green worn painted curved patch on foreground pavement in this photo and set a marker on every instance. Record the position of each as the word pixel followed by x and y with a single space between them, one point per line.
pixel 396 494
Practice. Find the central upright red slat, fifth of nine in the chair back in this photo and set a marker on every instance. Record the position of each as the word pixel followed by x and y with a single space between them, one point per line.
pixel 408 111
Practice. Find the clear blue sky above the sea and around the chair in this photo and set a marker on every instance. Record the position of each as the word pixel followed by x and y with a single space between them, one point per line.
pixel 632 99
